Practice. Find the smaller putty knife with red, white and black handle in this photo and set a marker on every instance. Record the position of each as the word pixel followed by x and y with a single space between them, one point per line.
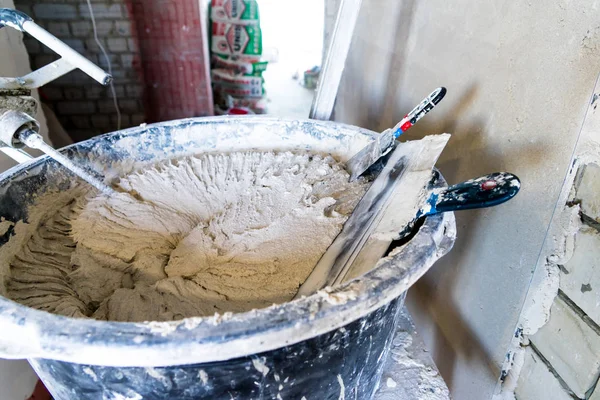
pixel 369 154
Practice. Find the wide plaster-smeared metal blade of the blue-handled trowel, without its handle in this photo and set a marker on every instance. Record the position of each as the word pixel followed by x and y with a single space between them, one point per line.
pixel 407 170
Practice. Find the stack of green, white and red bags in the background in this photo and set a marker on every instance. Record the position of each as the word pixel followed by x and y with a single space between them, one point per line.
pixel 236 50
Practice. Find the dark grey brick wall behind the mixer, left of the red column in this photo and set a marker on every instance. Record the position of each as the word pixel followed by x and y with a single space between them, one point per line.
pixel 84 107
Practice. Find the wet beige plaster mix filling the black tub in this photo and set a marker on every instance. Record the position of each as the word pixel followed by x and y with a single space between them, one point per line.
pixel 200 235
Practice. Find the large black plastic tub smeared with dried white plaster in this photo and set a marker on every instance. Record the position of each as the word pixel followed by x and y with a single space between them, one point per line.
pixel 329 345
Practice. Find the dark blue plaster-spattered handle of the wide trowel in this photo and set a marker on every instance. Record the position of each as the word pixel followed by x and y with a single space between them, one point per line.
pixel 486 191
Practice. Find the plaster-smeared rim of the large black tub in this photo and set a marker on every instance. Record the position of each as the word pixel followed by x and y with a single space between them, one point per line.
pixel 31 333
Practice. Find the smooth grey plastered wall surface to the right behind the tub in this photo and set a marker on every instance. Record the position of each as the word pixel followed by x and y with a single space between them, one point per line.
pixel 520 75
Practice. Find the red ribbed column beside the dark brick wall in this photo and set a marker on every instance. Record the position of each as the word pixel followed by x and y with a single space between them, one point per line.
pixel 174 58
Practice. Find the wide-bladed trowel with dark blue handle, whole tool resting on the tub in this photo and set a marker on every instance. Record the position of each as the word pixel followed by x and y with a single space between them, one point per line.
pixel 393 203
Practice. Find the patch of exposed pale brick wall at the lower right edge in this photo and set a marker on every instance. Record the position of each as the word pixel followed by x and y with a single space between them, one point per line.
pixel 564 354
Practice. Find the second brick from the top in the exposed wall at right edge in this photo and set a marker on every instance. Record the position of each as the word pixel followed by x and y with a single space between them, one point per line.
pixel 580 276
